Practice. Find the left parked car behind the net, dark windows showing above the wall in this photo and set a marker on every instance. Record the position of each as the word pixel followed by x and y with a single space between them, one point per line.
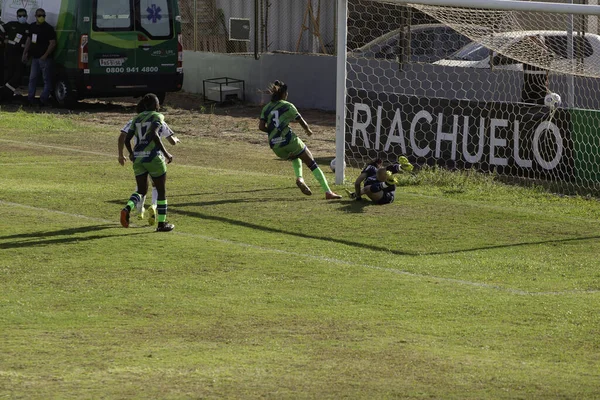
pixel 428 43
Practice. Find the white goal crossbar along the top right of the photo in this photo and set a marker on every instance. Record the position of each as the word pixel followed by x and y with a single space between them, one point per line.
pixel 514 5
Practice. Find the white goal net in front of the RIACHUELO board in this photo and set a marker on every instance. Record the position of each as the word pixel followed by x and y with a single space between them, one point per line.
pixel 509 91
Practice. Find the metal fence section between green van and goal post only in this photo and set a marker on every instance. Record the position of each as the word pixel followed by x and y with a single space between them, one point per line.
pixel 230 26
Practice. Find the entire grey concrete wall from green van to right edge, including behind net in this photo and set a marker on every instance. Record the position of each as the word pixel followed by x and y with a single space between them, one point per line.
pixel 312 79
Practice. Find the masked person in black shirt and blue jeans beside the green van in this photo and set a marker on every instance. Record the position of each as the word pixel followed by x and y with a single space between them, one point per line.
pixel 40 45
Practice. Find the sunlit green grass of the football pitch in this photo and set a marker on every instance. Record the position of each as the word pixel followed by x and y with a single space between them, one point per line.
pixel 464 288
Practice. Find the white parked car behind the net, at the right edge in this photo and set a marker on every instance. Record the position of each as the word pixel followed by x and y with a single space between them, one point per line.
pixel 526 44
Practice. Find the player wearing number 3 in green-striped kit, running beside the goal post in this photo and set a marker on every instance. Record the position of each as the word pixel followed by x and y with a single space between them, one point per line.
pixel 275 120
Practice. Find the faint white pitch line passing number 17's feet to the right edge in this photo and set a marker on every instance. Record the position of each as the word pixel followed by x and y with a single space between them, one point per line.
pixel 322 258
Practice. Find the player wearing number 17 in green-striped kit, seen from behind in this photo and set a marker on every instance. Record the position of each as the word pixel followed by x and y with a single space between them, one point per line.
pixel 148 158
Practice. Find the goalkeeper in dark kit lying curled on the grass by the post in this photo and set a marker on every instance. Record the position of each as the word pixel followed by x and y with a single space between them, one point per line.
pixel 379 182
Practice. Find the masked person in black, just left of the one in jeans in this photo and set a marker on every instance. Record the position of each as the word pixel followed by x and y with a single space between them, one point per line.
pixel 16 36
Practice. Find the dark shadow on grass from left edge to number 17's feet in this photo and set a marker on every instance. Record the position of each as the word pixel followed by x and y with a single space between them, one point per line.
pixel 43 238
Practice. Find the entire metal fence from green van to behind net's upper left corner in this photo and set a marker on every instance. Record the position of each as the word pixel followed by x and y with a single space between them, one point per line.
pixel 299 26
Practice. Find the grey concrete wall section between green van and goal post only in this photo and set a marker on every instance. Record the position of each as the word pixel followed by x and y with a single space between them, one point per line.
pixel 310 78
